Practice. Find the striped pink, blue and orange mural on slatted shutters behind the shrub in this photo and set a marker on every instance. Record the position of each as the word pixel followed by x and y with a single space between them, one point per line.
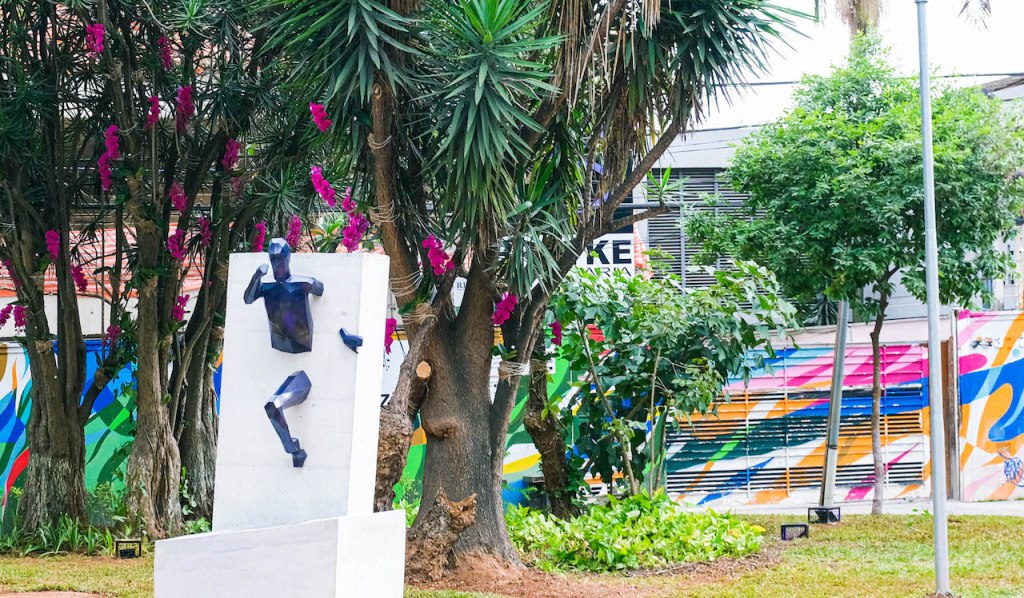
pixel 766 445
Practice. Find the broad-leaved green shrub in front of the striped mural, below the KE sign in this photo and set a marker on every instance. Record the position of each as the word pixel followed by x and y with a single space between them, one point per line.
pixel 666 354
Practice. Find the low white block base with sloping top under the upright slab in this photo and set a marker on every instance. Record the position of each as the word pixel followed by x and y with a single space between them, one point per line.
pixel 358 557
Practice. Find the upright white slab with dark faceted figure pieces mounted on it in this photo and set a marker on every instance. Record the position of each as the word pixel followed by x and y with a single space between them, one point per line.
pixel 257 486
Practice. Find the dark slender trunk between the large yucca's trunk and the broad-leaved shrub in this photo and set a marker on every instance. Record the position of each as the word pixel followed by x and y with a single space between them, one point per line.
pixel 551 445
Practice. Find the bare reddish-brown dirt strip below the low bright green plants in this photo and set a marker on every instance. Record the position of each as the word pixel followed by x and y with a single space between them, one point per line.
pixel 488 575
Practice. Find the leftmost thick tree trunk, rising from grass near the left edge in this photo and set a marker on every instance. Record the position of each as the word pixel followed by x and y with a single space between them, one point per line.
pixel 56 475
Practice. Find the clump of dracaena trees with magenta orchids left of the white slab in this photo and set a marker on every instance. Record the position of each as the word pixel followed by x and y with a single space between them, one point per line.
pixel 145 111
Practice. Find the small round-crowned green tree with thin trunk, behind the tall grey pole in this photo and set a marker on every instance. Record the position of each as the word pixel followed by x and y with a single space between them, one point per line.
pixel 836 186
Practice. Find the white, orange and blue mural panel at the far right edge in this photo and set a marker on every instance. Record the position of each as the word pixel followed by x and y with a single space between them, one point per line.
pixel 992 398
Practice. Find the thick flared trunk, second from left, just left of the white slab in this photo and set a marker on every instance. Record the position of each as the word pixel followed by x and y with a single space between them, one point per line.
pixel 155 465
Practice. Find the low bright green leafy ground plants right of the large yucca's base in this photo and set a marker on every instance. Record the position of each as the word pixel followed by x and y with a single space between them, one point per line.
pixel 631 534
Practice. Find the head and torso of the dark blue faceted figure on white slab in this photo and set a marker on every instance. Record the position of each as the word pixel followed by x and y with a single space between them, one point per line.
pixel 287 302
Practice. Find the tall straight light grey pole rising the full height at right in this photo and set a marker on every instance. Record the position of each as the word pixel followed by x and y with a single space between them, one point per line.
pixel 934 347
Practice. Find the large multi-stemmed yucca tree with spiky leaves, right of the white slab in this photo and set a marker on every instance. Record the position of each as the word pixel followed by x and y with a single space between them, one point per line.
pixel 494 139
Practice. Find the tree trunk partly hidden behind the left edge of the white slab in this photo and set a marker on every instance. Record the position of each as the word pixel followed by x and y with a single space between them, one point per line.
pixel 198 444
